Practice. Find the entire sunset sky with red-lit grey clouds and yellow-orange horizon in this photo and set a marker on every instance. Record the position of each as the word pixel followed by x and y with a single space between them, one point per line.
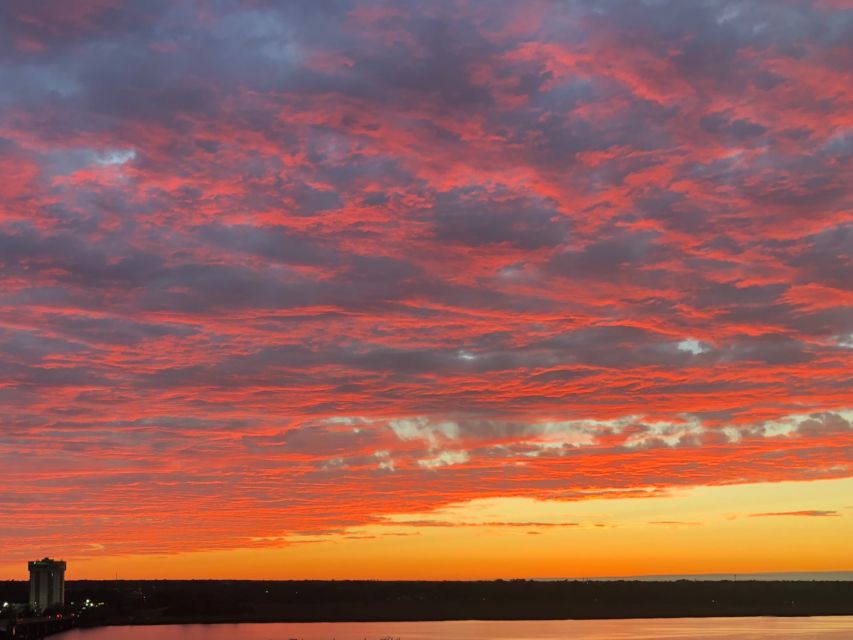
pixel 468 289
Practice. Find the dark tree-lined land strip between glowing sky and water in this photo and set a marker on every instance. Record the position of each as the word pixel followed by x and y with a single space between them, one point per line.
pixel 161 602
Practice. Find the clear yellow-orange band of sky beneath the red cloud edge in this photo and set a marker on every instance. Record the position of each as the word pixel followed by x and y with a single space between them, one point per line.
pixel 739 530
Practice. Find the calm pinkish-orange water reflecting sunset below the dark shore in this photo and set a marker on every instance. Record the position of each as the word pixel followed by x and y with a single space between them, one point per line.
pixel 819 628
